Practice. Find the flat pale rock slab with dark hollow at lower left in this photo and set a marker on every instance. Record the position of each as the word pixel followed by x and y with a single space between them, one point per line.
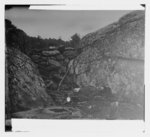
pixel 54 112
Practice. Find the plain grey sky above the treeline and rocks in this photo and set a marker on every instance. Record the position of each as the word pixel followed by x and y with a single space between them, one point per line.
pixel 61 24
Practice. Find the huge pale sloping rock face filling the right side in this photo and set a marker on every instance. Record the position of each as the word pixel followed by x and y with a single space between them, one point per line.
pixel 114 57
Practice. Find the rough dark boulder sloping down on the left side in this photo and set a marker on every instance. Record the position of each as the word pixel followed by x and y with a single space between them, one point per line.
pixel 25 88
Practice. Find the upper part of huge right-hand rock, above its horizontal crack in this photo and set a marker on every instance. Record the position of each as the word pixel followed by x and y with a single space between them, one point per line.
pixel 124 38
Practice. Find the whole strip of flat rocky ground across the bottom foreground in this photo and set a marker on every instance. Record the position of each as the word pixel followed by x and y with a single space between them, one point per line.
pixel 86 110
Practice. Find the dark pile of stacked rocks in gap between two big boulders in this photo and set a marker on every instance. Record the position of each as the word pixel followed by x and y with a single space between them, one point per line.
pixel 53 65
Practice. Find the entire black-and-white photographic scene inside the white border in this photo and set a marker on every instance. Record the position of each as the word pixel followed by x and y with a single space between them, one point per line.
pixel 74 64
